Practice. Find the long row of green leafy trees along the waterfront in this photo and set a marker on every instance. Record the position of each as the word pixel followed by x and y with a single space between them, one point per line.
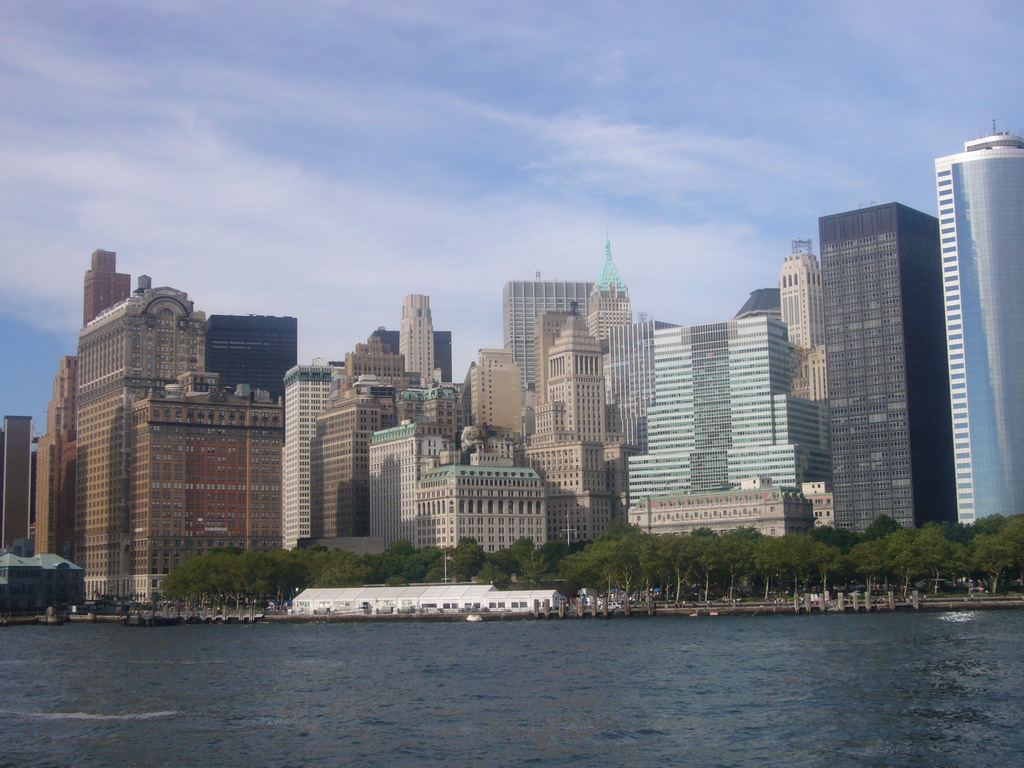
pixel 700 566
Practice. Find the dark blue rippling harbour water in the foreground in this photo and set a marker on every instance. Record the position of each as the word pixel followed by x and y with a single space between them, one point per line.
pixel 927 690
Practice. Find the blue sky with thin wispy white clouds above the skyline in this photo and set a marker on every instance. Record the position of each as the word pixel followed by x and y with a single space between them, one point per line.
pixel 324 159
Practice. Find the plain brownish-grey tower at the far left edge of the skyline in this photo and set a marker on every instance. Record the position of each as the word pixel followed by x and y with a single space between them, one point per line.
pixel 16 480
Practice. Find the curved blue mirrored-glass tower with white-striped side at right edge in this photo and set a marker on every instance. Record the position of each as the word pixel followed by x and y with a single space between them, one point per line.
pixel 982 216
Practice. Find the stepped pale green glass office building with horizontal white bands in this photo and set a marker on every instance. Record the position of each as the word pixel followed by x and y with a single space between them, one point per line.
pixel 723 413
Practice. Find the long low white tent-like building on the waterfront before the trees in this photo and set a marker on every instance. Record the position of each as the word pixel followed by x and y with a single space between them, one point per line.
pixel 422 600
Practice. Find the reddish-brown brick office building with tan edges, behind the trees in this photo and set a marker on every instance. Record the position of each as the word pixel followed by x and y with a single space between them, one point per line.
pixel 205 475
